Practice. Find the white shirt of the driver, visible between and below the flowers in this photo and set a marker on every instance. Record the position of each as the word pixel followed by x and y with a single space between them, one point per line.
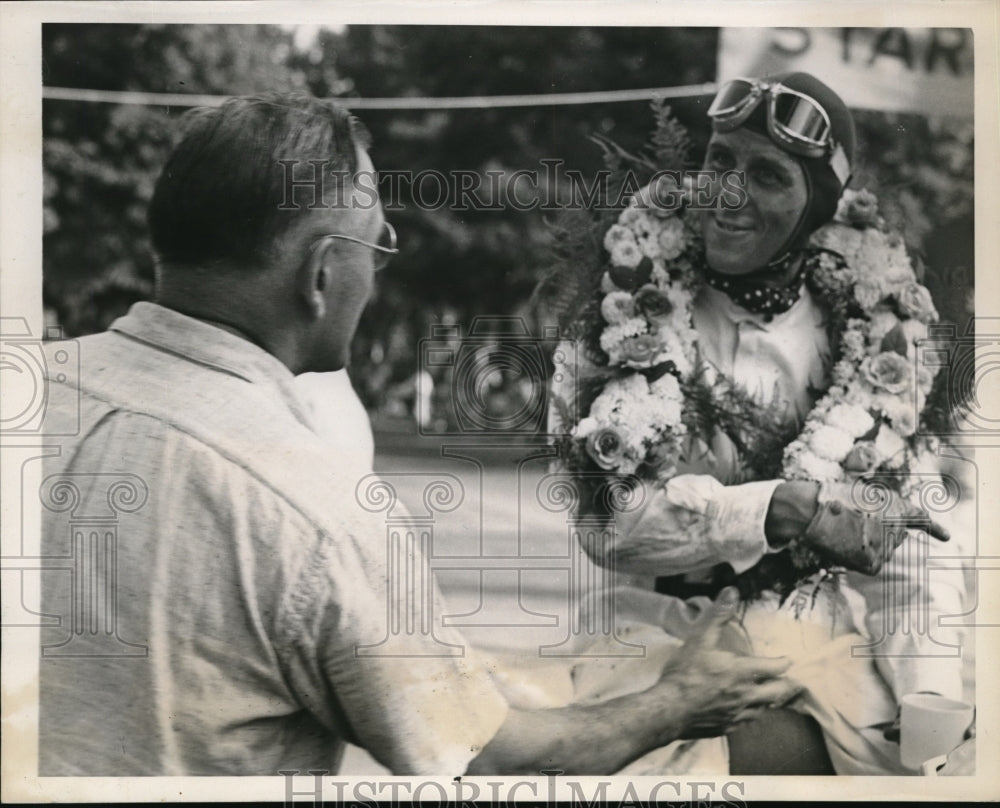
pixel 698 521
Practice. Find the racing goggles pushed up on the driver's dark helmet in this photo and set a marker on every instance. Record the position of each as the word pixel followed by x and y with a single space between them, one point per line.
pixel 795 120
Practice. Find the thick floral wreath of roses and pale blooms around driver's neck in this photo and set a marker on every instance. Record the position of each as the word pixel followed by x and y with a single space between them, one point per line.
pixel 649 392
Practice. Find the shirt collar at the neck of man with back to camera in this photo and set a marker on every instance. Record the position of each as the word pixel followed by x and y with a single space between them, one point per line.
pixel 204 344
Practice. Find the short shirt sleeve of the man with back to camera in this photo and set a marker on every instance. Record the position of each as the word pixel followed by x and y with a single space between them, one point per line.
pixel 366 657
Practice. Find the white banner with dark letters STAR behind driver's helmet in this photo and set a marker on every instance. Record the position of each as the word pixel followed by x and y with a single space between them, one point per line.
pixel 923 70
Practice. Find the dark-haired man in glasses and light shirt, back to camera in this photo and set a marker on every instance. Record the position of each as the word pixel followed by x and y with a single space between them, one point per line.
pixel 245 567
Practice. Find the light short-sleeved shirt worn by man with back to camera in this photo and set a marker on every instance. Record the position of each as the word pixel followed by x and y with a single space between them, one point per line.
pixel 250 587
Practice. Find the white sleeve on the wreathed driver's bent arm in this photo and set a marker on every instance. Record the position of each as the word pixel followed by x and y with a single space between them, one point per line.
pixel 692 522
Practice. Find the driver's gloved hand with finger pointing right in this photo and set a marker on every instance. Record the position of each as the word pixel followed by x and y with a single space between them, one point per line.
pixel 843 530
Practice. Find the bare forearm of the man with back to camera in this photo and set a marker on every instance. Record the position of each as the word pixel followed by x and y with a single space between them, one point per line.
pixel 585 739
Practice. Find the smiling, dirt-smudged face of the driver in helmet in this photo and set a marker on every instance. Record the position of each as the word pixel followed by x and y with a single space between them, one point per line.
pixel 738 242
